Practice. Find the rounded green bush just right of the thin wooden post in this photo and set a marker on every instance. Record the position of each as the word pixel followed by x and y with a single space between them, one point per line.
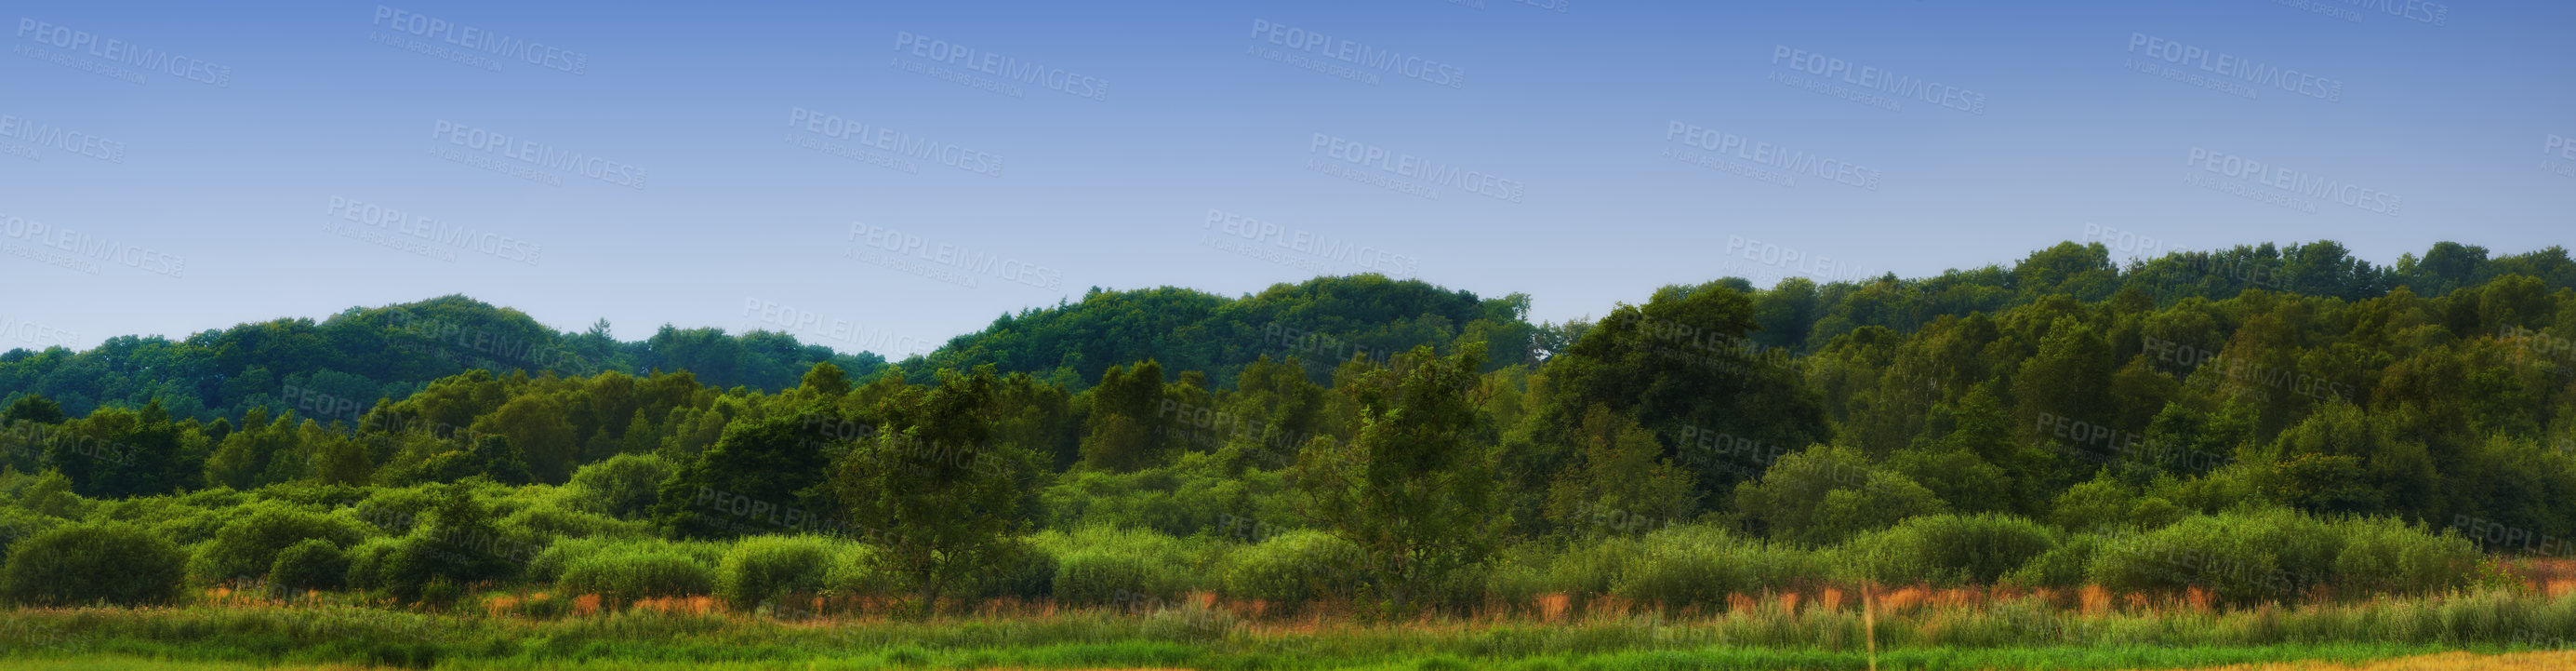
pixel 1949 551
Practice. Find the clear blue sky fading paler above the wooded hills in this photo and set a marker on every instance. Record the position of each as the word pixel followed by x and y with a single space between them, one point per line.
pixel 882 177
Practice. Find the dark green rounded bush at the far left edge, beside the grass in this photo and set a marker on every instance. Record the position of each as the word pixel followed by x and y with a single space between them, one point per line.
pixel 94 564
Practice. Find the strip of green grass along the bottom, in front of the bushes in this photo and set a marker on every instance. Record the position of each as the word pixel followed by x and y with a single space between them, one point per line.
pixel 2005 636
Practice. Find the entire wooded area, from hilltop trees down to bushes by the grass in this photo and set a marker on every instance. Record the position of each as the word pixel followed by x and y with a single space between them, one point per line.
pixel 2232 432
